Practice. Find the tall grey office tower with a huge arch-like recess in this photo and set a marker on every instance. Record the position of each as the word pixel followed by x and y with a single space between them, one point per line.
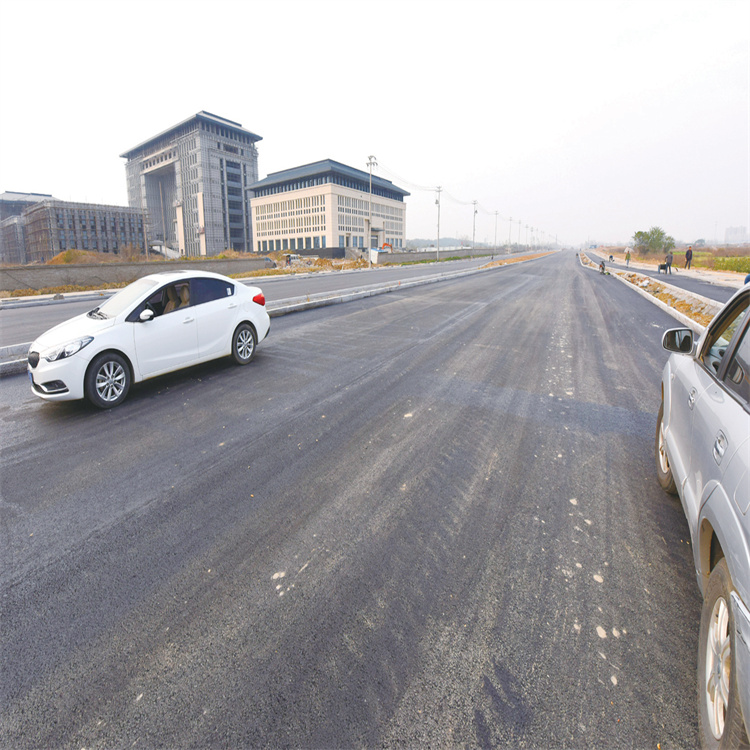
pixel 191 180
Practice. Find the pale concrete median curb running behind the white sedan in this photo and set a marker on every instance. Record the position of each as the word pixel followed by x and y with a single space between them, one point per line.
pixel 15 359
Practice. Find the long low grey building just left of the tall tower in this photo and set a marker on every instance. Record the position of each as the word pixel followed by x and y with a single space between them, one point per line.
pixel 52 226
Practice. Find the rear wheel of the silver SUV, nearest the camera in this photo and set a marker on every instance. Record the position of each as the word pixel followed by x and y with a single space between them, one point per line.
pixel 719 711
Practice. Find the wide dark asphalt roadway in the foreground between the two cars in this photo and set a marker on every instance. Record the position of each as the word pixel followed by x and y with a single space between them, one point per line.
pixel 428 518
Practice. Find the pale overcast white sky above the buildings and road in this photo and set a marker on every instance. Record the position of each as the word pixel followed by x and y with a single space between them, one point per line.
pixel 579 121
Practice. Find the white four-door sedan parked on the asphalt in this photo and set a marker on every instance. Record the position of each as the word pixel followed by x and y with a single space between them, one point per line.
pixel 157 324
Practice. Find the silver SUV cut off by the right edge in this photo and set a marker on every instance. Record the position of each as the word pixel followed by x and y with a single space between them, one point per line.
pixel 703 454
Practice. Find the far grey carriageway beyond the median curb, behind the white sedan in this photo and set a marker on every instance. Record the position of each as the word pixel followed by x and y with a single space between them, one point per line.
pixel 22 325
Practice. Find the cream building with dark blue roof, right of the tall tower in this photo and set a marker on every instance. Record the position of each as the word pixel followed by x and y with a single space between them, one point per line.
pixel 323 209
